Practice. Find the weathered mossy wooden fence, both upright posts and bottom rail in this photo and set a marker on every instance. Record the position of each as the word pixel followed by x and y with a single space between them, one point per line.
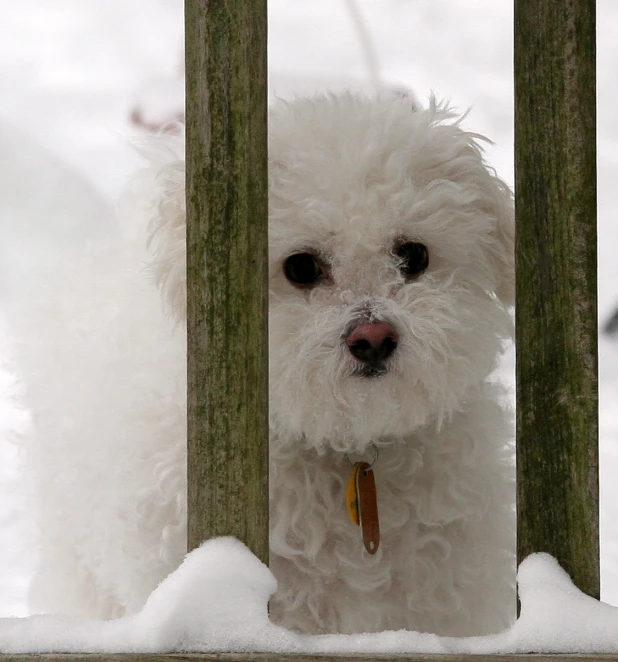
pixel 556 286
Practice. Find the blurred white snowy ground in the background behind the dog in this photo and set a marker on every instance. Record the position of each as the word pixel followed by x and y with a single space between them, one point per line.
pixel 70 74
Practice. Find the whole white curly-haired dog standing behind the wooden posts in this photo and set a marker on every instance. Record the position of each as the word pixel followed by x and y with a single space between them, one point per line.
pixel 391 277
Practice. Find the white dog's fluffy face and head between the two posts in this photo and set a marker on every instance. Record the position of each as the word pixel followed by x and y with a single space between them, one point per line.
pixel 391 269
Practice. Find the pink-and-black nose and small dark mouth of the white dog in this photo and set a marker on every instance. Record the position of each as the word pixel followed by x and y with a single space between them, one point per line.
pixel 371 344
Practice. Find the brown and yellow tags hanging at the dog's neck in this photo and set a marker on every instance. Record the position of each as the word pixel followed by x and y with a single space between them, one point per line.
pixel 362 504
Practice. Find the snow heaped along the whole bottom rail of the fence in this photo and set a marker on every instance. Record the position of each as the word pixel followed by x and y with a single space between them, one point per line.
pixel 218 601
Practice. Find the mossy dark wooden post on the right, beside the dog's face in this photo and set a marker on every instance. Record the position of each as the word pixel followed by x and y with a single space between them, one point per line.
pixel 555 201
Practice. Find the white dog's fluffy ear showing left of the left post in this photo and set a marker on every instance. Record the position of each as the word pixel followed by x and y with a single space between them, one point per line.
pixel 161 189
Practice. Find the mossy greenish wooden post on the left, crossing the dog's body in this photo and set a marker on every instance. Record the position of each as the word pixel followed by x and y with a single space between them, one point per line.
pixel 227 211
